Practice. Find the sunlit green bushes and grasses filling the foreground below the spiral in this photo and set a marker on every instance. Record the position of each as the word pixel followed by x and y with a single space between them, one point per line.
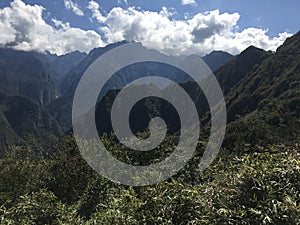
pixel 258 186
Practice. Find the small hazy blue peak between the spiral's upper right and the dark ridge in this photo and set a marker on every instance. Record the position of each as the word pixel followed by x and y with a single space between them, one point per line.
pixel 217 59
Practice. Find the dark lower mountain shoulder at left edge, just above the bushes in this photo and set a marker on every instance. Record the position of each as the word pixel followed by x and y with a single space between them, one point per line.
pixel 21 118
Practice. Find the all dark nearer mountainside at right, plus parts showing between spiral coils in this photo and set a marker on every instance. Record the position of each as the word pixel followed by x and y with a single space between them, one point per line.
pixel 262 95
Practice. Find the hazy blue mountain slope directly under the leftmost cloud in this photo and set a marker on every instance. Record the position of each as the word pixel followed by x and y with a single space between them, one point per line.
pixel 22 73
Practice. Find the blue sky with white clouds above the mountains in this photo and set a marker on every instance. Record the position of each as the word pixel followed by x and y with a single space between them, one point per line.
pixel 174 27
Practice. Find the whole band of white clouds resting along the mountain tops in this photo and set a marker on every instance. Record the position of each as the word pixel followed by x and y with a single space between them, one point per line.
pixel 23 27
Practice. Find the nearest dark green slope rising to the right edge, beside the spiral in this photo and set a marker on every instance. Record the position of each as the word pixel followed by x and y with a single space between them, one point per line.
pixel 266 103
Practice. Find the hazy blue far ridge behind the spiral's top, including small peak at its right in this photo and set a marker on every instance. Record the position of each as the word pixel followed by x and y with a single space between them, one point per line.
pixel 61 108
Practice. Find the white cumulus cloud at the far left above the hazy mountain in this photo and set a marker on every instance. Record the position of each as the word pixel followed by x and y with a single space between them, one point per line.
pixel 22 27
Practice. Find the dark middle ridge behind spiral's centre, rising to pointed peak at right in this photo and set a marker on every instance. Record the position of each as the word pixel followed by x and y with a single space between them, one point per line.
pixel 228 76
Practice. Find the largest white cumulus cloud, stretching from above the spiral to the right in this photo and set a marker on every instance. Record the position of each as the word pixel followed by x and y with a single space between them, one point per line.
pixel 200 34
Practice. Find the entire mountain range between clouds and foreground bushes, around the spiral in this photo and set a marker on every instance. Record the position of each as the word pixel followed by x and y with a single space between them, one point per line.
pixel 261 89
